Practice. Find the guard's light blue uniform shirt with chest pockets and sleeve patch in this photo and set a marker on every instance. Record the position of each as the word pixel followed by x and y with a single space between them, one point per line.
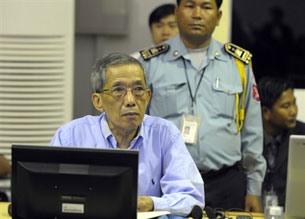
pixel 219 143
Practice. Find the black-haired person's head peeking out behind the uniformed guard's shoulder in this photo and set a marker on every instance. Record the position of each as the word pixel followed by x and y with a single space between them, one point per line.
pixel 162 23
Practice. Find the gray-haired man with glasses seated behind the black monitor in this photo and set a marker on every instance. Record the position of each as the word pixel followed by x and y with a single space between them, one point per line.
pixel 168 177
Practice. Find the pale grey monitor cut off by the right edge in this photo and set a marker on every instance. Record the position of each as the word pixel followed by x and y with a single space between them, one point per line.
pixel 295 189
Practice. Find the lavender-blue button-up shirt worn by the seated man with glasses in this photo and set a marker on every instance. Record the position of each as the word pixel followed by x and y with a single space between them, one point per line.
pixel 167 172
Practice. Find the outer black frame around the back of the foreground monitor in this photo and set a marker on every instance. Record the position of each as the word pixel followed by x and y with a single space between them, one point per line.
pixel 68 155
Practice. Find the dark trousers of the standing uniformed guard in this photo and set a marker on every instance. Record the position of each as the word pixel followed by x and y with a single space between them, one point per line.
pixel 226 188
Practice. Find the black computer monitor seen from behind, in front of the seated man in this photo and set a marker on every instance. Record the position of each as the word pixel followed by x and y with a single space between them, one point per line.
pixel 69 182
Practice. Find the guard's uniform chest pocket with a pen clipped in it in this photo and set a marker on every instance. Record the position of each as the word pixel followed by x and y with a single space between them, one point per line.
pixel 224 98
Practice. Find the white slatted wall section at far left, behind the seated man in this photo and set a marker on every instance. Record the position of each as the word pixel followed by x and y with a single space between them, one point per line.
pixel 36 70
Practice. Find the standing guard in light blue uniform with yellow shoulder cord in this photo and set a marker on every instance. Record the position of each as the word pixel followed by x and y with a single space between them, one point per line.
pixel 196 82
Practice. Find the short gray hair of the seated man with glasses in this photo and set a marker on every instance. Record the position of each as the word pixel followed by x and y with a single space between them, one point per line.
pixel 98 75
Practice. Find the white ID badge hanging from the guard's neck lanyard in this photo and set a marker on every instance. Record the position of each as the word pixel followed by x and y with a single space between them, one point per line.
pixel 190 128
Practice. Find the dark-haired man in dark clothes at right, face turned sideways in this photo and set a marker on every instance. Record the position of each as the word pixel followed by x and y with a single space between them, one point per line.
pixel 279 111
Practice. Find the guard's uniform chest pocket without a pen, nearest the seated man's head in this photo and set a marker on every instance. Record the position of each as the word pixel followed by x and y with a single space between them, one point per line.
pixel 169 99
